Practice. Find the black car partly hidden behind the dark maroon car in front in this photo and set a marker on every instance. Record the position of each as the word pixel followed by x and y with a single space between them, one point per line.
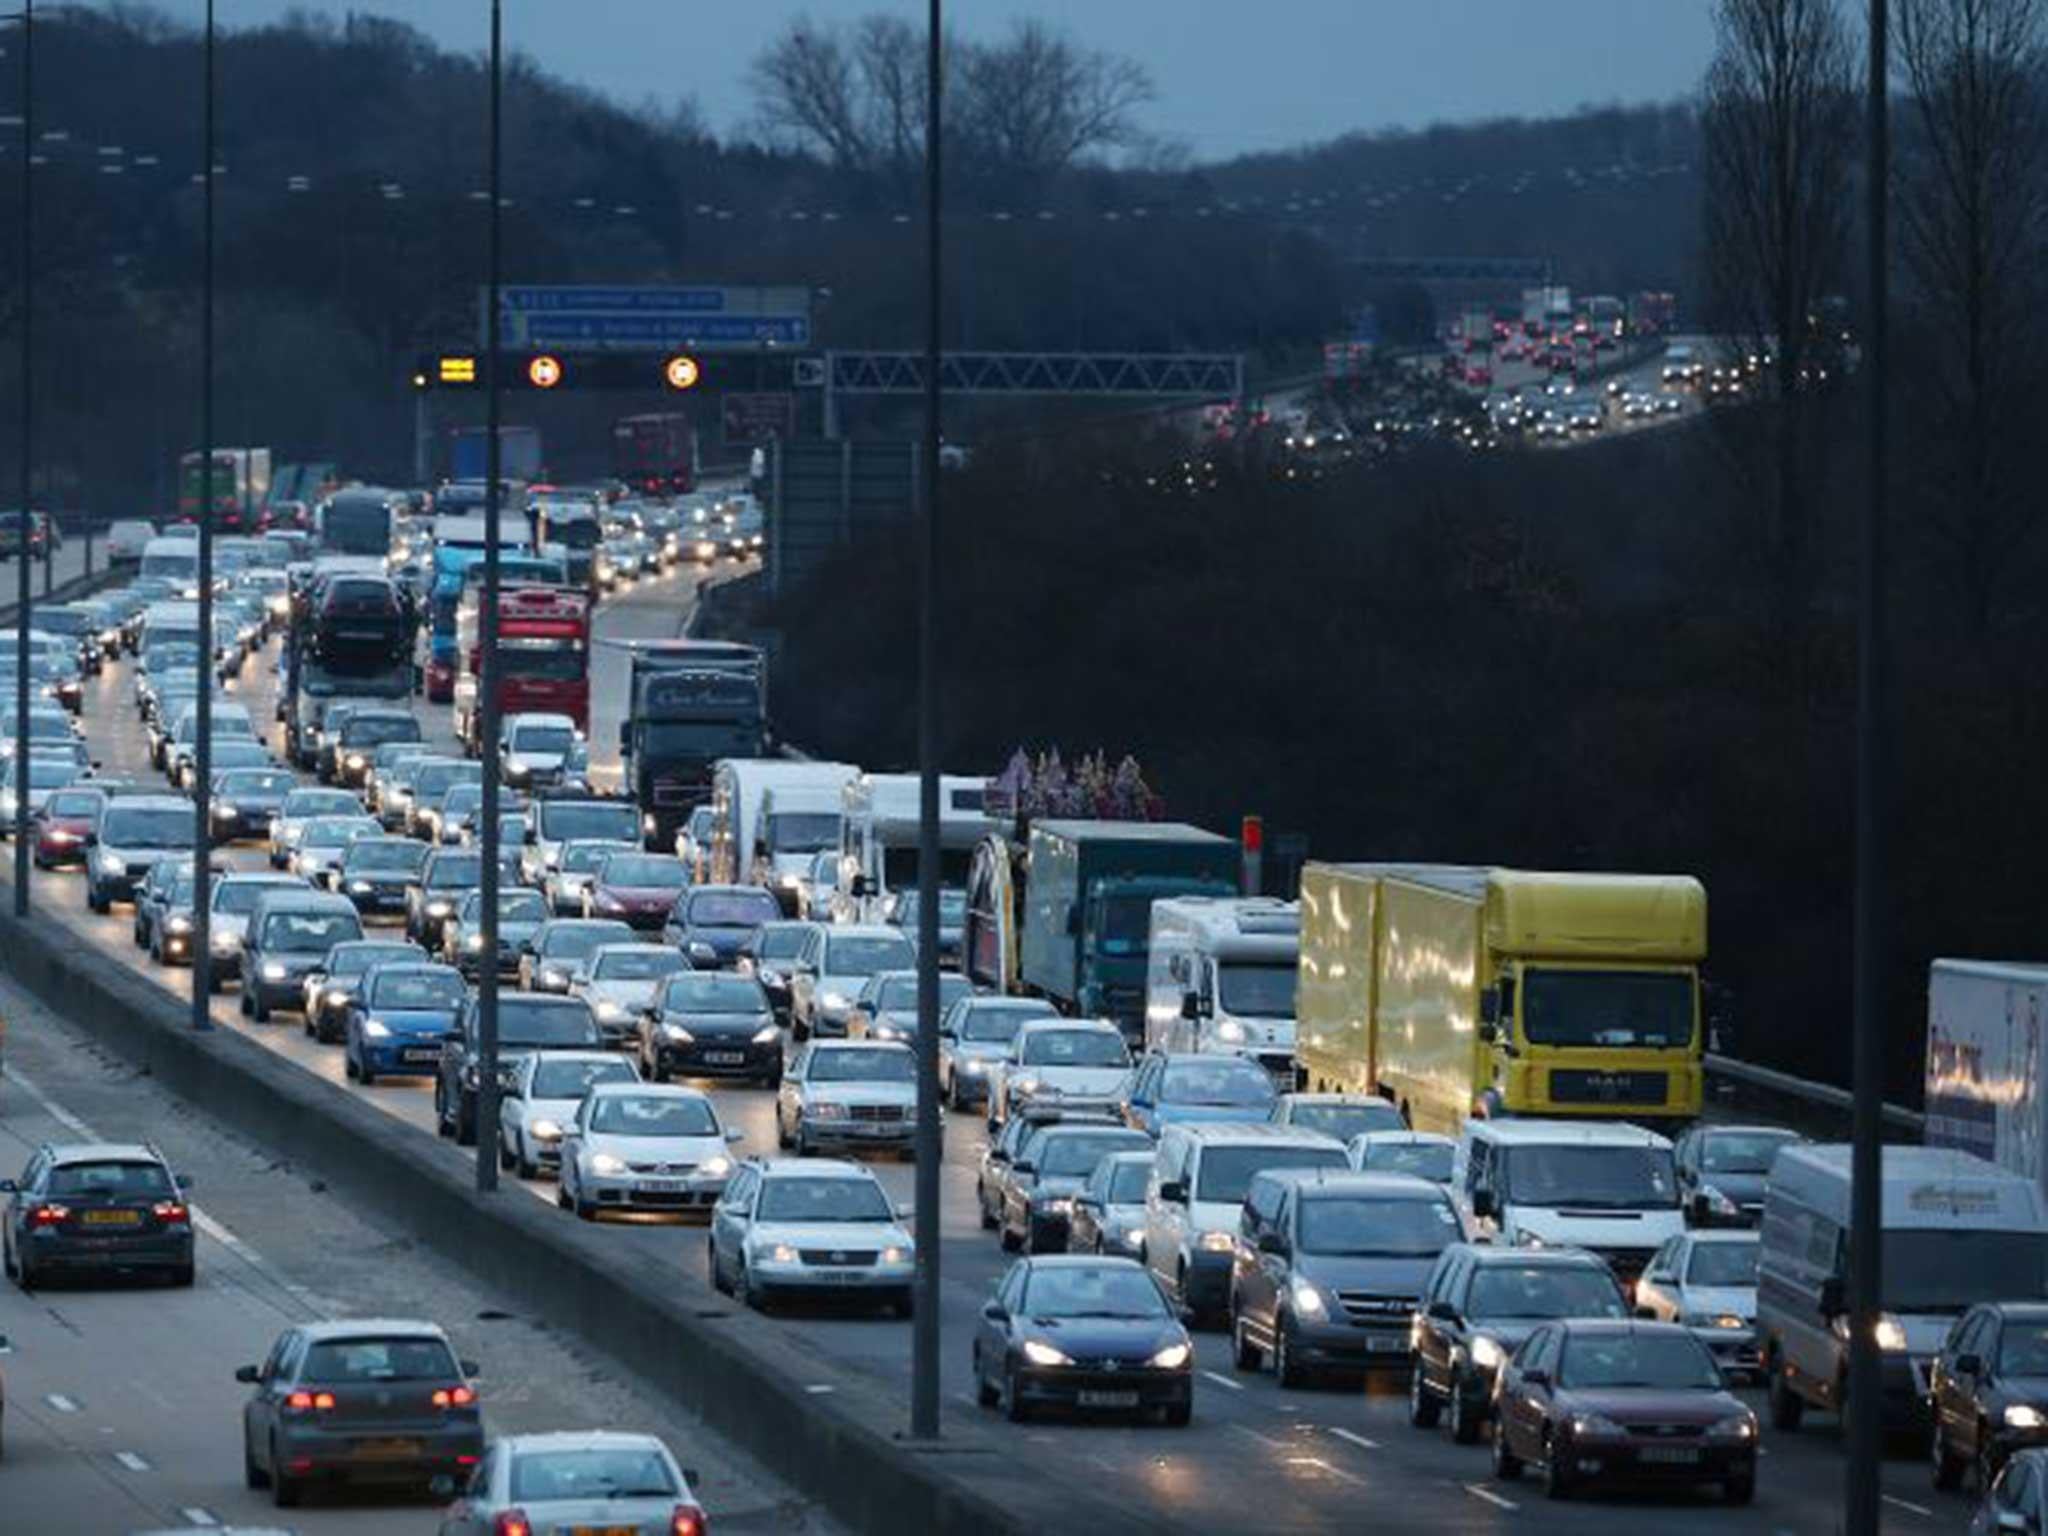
pixel 1480 1306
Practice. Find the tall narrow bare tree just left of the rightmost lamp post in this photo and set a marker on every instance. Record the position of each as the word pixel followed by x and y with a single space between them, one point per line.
pixel 1779 130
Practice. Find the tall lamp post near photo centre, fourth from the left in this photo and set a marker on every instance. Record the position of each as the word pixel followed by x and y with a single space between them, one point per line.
pixel 925 1326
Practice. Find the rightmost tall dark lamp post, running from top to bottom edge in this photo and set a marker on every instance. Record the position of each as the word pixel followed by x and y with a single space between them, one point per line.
pixel 1867 1154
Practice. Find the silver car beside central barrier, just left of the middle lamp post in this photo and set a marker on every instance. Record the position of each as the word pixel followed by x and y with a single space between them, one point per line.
pixel 810 1230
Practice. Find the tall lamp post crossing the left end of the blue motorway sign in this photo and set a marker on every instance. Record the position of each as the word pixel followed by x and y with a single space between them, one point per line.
pixel 488 669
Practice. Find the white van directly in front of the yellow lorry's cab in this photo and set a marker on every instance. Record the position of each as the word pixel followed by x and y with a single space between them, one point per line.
pixel 1605 1187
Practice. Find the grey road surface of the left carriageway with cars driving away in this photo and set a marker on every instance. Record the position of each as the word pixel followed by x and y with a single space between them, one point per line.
pixel 124 1412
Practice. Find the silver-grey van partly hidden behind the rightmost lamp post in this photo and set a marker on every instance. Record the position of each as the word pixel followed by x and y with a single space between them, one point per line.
pixel 1957 1232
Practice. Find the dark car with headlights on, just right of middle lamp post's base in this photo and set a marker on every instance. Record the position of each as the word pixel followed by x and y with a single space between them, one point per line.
pixel 1082 1332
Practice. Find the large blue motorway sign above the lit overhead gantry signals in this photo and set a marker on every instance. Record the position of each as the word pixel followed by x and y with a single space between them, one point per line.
pixel 648 318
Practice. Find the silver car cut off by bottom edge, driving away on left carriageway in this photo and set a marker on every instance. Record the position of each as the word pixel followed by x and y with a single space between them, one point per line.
pixel 577 1482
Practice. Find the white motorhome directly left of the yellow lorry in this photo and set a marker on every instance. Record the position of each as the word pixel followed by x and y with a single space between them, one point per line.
pixel 1220 978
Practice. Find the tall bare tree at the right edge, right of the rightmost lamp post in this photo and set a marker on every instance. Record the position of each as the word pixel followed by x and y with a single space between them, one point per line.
pixel 1971 220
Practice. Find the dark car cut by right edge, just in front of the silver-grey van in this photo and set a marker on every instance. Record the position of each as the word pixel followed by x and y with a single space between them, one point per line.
pixel 1990 1390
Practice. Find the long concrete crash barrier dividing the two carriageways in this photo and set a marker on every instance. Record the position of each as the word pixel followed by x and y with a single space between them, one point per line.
pixel 669 1328
